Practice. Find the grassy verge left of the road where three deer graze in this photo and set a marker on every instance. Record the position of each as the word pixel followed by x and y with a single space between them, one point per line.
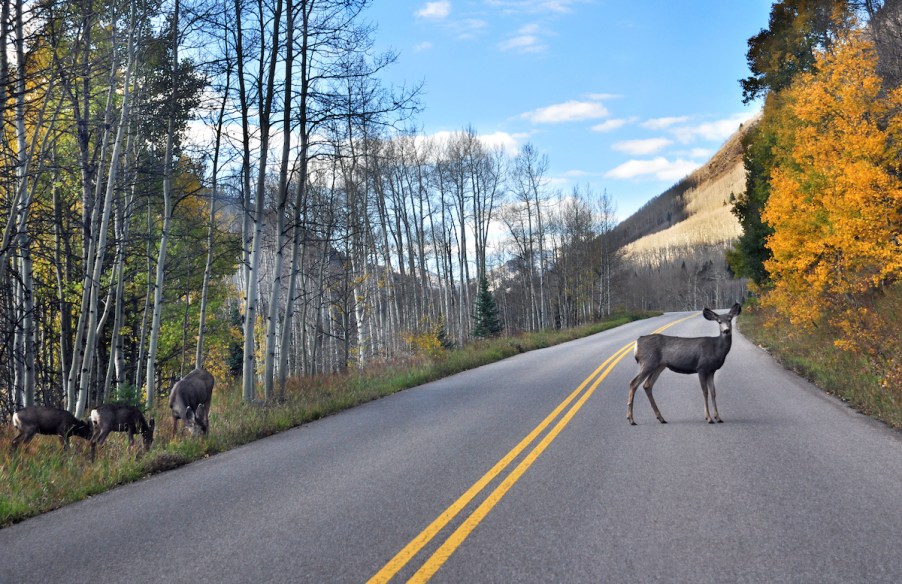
pixel 42 476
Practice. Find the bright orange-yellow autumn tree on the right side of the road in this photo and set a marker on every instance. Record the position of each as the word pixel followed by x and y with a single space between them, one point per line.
pixel 836 199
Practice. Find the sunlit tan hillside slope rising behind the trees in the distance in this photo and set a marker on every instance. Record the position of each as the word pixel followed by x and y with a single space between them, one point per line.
pixel 693 212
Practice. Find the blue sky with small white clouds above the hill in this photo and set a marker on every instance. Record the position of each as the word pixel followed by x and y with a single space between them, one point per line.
pixel 623 95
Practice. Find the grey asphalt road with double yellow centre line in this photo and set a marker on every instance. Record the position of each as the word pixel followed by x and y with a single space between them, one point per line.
pixel 518 484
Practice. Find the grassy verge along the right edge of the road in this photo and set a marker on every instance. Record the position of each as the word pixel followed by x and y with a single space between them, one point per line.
pixel 814 356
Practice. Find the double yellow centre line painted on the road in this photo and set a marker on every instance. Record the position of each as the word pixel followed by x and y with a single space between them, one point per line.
pixel 441 555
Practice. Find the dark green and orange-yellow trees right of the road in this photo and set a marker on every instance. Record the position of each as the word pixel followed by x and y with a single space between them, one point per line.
pixel 822 210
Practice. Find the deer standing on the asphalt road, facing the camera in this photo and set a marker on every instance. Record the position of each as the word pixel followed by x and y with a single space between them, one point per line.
pixel 702 355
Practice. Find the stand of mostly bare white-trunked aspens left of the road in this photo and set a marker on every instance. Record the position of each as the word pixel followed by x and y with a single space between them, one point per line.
pixel 230 185
